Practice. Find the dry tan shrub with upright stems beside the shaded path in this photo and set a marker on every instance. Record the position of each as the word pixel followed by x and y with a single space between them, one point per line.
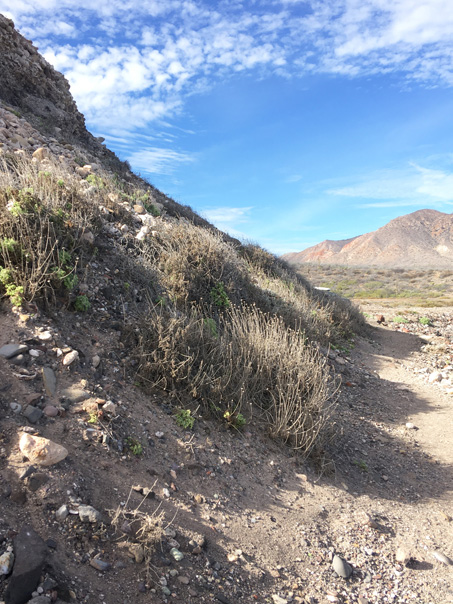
pixel 252 363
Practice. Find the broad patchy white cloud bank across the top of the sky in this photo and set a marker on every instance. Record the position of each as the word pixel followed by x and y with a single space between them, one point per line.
pixel 134 62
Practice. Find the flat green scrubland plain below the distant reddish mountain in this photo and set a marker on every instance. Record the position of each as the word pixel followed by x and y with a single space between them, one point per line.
pixel 428 287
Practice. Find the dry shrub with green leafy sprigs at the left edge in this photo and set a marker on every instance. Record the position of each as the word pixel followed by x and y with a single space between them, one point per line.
pixel 41 216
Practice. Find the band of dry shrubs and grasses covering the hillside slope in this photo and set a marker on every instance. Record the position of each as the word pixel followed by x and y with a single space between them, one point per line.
pixel 224 327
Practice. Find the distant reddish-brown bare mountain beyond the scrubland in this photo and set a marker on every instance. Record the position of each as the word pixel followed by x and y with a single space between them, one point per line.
pixel 421 239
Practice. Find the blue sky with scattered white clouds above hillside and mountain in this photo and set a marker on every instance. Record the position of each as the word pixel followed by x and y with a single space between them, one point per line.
pixel 284 122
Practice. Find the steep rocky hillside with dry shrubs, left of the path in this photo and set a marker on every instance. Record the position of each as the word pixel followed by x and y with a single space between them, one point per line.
pixel 142 354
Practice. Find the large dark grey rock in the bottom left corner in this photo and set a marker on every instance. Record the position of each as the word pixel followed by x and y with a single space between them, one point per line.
pixel 30 556
